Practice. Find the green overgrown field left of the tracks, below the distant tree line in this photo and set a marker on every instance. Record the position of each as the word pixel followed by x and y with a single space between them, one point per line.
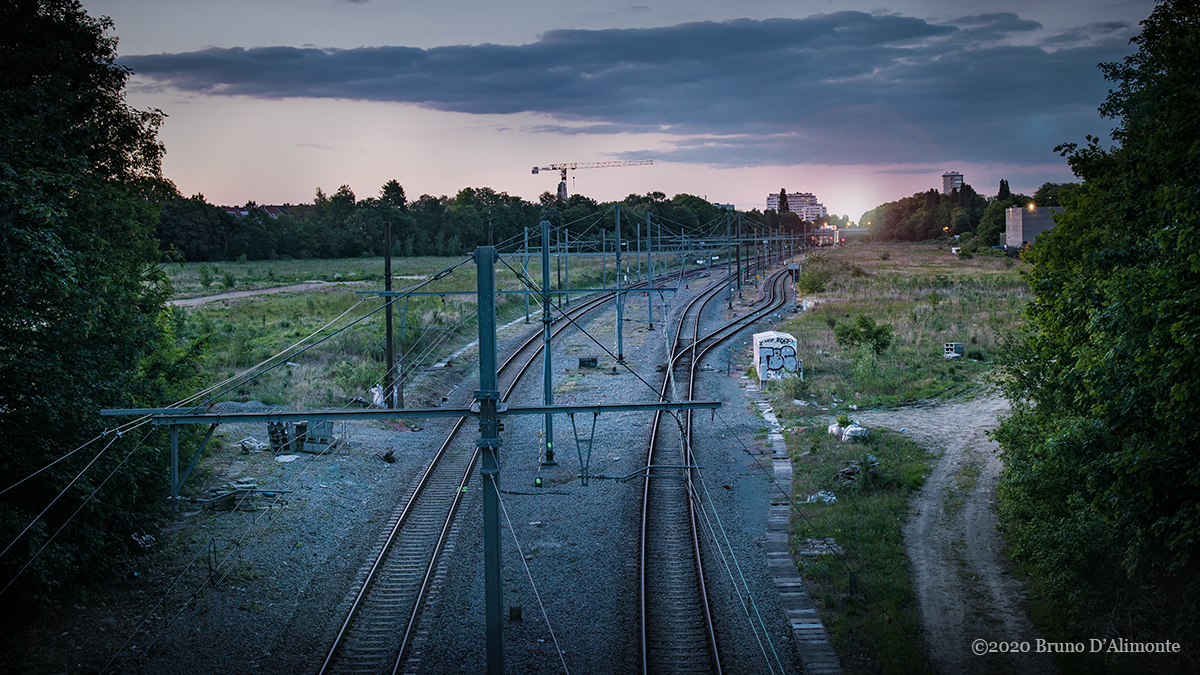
pixel 245 332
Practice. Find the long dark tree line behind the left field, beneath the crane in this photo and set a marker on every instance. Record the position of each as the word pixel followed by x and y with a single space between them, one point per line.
pixel 341 225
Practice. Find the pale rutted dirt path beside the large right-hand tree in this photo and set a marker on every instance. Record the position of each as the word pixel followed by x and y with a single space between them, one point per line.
pixel 963 581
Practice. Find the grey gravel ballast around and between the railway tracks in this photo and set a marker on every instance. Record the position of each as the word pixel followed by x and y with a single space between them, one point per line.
pixel 286 572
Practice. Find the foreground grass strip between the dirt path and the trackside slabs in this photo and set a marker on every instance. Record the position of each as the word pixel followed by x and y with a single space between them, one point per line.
pixel 866 521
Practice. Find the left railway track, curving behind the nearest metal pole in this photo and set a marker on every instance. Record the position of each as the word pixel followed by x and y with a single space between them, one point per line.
pixel 383 618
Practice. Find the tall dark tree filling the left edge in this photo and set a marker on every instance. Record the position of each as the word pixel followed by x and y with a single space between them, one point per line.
pixel 83 318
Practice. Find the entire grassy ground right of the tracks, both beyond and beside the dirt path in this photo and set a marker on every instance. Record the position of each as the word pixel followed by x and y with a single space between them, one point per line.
pixel 928 297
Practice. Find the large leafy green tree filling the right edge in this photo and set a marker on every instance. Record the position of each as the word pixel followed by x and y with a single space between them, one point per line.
pixel 1102 483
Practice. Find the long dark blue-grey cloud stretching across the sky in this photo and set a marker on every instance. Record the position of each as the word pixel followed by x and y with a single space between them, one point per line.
pixel 841 88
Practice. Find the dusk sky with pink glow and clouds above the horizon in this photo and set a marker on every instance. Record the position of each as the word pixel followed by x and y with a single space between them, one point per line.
pixel 857 103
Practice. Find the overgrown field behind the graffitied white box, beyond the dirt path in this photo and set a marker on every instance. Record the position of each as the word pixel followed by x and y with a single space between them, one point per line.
pixel 929 297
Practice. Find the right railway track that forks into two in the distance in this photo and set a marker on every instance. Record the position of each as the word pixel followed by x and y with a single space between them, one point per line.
pixel 676 619
